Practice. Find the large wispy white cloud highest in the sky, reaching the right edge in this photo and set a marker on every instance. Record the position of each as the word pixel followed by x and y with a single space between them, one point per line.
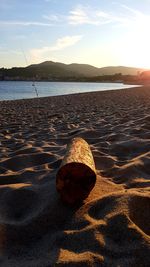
pixel 88 15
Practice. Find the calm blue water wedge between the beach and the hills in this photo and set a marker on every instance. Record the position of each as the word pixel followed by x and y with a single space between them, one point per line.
pixel 10 90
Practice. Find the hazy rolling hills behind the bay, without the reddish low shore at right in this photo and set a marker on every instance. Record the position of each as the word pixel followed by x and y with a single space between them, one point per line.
pixel 50 70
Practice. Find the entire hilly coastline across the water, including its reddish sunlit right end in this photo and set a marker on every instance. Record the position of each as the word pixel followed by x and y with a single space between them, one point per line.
pixel 58 72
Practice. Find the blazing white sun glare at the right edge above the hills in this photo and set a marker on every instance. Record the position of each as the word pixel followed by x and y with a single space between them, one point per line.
pixel 133 47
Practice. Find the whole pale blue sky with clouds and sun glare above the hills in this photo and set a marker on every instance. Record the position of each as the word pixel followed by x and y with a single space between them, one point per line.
pixel 96 32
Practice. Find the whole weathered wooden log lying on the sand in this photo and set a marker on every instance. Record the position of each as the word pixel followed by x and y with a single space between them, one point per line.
pixel 77 175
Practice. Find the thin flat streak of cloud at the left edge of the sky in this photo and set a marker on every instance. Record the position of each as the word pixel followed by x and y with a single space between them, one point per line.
pixel 23 23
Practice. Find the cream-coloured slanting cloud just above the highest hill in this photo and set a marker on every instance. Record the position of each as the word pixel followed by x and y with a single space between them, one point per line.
pixel 38 54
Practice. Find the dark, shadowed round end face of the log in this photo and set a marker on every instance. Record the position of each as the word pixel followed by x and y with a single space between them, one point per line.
pixel 74 181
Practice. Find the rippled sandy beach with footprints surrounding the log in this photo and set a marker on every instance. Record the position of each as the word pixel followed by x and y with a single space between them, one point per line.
pixel 111 228
